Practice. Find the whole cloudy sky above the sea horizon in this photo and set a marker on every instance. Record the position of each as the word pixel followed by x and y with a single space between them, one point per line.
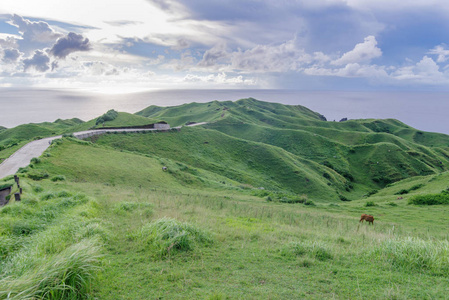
pixel 135 45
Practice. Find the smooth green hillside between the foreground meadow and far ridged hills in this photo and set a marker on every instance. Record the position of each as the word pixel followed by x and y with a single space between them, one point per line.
pixel 249 163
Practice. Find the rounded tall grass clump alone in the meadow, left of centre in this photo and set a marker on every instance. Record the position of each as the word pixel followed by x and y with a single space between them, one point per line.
pixel 166 235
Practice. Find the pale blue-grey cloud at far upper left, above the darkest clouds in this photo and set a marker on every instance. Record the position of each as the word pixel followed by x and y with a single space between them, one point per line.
pixel 37 32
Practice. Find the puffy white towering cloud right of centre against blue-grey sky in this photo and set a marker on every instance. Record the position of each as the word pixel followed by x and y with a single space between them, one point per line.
pixel 363 52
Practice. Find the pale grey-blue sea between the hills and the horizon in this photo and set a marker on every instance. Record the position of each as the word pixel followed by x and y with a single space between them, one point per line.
pixel 426 111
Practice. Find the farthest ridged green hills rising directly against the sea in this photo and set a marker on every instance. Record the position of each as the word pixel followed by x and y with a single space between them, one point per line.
pixel 368 153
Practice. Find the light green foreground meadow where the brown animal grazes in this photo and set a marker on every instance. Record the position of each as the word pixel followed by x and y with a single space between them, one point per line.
pixel 165 235
